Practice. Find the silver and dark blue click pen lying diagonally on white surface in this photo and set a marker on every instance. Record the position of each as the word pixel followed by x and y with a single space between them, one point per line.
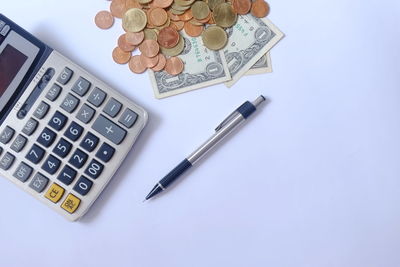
pixel 237 117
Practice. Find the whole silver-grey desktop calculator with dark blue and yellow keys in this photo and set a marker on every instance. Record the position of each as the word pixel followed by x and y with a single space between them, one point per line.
pixel 63 132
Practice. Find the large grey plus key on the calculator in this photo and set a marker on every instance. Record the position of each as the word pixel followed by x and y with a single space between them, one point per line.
pixel 108 129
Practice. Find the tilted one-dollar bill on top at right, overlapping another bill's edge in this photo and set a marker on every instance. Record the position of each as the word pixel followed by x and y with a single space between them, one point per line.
pixel 249 39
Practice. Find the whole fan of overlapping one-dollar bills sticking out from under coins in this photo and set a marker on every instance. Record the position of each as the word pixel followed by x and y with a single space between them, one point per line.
pixel 247 52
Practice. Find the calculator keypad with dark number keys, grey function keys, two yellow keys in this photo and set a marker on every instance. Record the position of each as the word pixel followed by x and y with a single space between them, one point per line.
pixel 63 140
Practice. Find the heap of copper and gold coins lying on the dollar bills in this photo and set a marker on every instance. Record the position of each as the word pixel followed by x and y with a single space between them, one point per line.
pixel 153 27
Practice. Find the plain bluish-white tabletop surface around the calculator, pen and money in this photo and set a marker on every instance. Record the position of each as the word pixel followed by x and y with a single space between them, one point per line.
pixel 312 180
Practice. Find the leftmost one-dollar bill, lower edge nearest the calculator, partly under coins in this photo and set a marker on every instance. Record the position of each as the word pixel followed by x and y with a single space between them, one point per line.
pixel 203 67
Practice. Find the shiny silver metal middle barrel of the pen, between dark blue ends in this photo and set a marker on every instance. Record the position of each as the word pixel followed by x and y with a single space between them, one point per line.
pixel 216 138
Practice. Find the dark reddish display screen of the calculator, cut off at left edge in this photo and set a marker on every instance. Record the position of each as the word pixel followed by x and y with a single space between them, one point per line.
pixel 11 61
